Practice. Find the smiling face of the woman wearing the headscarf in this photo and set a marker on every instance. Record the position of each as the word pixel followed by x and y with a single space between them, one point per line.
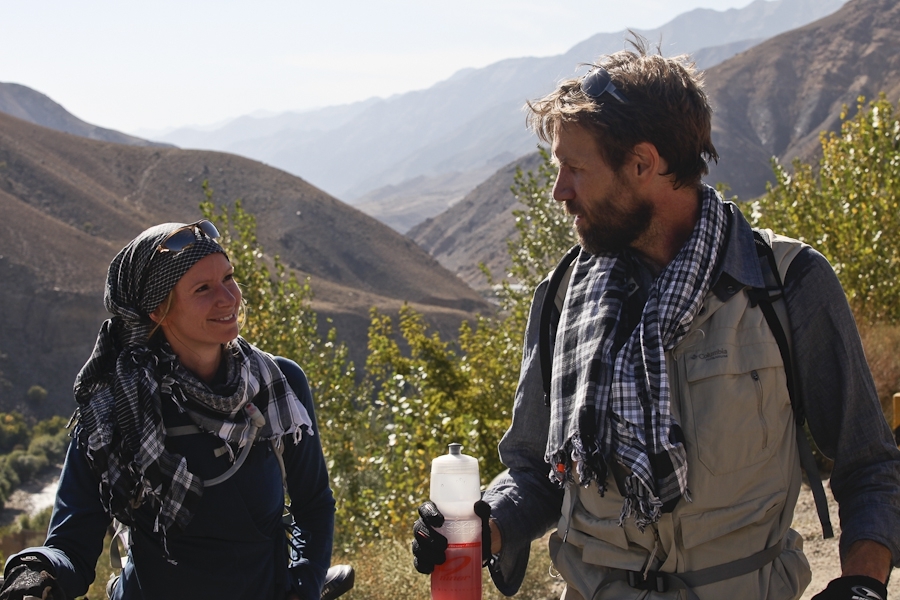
pixel 204 310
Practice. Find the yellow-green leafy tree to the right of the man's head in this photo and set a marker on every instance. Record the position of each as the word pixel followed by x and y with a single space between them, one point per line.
pixel 848 208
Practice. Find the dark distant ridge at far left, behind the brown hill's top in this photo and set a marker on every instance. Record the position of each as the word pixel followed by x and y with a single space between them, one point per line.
pixel 29 105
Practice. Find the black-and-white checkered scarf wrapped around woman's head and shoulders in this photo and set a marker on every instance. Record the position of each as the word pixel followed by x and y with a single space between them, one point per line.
pixel 121 388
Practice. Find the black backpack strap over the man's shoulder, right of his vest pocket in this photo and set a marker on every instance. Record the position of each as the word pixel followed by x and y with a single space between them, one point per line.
pixel 766 298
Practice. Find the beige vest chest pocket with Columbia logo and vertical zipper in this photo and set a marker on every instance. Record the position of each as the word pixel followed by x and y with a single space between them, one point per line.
pixel 733 398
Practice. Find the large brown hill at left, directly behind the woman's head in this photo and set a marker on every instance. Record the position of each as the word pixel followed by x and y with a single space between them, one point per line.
pixel 69 203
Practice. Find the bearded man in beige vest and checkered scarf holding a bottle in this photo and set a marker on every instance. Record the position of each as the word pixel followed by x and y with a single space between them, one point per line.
pixel 669 438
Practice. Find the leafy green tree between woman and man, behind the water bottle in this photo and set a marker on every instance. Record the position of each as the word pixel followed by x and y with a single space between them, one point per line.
pixel 438 392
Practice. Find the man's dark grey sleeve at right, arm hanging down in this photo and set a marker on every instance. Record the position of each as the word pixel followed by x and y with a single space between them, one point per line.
pixel 842 406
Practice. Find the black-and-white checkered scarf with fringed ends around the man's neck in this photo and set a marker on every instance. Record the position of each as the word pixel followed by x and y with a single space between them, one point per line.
pixel 616 406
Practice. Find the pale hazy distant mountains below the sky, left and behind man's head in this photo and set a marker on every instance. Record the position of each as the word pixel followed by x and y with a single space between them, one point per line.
pixel 470 122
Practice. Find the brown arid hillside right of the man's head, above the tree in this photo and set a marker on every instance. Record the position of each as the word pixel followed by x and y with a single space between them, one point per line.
pixel 775 99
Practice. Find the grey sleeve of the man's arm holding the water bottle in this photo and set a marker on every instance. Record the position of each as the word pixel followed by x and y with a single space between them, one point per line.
pixel 524 502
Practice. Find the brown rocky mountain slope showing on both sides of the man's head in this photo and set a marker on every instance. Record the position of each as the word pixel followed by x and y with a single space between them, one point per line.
pixel 772 100
